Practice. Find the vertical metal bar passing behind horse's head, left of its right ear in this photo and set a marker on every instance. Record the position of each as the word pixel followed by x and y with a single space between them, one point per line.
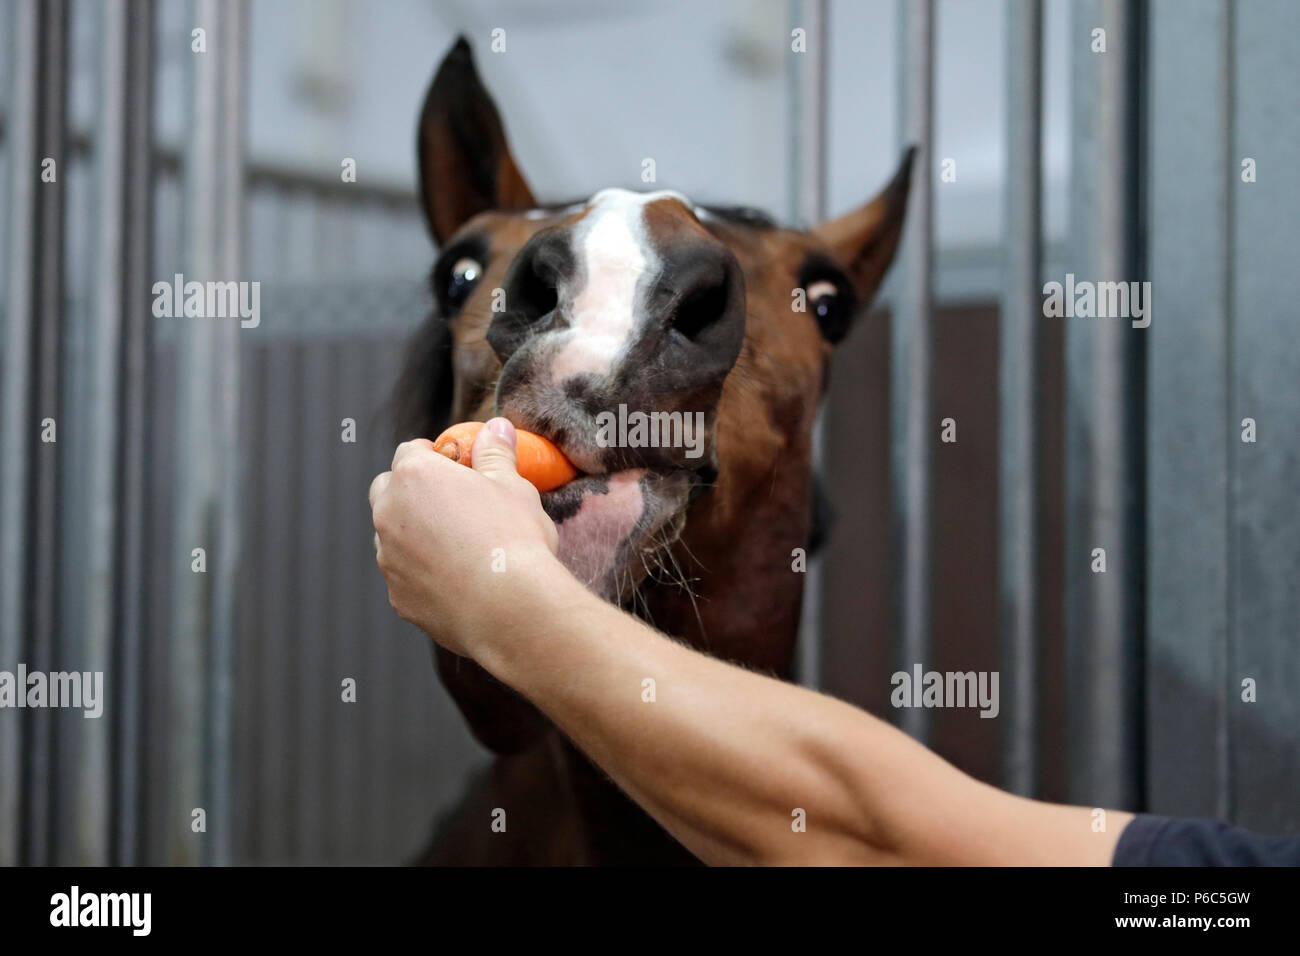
pixel 809 201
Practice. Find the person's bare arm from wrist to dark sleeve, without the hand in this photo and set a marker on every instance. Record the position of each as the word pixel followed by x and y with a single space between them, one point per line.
pixel 726 759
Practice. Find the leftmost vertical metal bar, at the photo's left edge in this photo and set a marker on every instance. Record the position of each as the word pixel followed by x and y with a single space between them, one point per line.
pixel 19 421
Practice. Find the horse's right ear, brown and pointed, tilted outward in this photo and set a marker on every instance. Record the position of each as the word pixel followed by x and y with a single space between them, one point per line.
pixel 865 241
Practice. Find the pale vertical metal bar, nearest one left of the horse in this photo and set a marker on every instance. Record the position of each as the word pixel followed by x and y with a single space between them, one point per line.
pixel 209 508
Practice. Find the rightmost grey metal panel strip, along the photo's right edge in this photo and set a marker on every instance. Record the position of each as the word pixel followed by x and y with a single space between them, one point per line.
pixel 1264 365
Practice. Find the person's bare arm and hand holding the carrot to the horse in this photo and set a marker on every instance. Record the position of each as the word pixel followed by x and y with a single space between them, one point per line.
pixel 725 759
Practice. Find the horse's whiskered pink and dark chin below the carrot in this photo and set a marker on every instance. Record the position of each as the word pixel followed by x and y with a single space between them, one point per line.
pixel 612 525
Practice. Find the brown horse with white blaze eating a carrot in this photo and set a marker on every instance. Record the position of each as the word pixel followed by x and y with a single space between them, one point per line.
pixel 716 326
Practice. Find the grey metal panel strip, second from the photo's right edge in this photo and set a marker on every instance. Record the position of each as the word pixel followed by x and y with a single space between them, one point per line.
pixel 1190 520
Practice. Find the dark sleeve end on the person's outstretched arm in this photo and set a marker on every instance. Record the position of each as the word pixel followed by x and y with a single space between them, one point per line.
pixel 1151 841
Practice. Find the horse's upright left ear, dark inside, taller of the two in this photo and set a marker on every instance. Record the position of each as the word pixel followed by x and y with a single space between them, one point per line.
pixel 466 166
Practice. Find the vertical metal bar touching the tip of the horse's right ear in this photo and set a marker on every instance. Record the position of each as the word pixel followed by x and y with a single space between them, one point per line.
pixel 911 356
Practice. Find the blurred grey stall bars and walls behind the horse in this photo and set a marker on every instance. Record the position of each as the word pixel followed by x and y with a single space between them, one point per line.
pixel 226 689
